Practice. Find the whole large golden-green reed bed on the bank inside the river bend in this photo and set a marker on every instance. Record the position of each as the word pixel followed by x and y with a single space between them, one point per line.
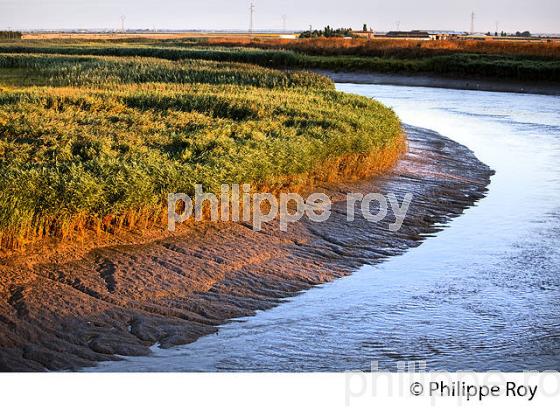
pixel 92 144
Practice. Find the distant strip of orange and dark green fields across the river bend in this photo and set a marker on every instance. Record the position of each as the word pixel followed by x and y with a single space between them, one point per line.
pixel 508 60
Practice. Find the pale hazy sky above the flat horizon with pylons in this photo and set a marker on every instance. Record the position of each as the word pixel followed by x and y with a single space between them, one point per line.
pixel 537 16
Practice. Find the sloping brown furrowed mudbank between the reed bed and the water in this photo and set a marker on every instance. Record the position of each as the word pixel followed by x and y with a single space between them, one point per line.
pixel 67 313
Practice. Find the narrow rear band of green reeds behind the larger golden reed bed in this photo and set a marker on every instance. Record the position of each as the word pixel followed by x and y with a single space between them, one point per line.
pixel 84 70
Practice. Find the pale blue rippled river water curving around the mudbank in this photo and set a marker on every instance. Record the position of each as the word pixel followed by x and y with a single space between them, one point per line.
pixel 482 294
